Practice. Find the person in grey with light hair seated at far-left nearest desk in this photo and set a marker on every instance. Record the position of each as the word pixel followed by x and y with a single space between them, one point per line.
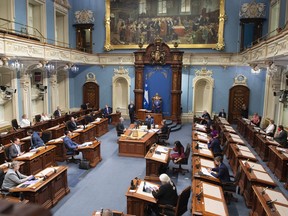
pixel 13 177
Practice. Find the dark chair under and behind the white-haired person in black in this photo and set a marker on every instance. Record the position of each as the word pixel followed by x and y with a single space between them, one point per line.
pixel 181 206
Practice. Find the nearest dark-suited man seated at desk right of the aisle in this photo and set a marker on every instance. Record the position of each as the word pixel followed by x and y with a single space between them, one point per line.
pixel 221 170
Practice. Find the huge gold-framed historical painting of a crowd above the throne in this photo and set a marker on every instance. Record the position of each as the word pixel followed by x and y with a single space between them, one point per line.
pixel 190 23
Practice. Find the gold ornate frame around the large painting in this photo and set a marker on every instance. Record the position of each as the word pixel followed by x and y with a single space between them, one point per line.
pixel 218 46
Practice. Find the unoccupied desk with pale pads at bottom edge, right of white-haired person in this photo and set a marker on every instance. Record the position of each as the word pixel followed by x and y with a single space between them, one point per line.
pixel 208 199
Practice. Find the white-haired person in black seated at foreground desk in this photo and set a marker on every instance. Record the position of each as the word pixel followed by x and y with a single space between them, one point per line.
pixel 166 194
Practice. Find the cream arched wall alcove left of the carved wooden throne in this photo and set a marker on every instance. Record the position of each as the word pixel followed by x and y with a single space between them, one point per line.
pixel 121 84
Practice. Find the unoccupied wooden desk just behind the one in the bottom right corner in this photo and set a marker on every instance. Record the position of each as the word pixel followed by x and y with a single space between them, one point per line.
pixel 258 176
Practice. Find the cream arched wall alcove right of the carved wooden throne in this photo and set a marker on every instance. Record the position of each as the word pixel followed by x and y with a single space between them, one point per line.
pixel 203 85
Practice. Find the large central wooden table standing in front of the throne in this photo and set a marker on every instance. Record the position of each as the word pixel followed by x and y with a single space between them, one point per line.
pixel 138 146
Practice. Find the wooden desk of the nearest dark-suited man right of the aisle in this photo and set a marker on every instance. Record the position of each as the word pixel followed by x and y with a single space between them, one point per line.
pixel 200 163
